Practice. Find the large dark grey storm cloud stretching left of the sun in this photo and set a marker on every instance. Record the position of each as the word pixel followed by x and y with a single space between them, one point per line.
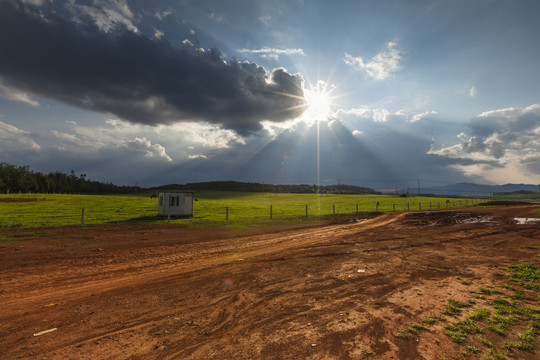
pixel 139 79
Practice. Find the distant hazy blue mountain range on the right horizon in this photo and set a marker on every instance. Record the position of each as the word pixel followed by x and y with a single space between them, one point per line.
pixel 476 189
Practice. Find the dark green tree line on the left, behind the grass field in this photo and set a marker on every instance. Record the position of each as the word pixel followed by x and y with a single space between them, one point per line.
pixel 15 179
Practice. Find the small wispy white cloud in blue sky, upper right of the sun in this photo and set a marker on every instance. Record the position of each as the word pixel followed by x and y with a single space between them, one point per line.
pixel 381 66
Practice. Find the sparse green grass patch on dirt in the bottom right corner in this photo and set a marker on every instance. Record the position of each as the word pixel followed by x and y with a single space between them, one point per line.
pixel 504 324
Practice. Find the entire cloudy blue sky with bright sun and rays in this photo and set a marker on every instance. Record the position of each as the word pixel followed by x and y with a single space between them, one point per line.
pixel 376 93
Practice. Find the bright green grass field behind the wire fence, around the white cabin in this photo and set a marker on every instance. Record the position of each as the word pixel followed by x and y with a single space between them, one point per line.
pixel 50 210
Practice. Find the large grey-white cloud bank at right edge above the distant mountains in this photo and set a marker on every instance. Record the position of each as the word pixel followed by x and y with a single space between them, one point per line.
pixel 507 138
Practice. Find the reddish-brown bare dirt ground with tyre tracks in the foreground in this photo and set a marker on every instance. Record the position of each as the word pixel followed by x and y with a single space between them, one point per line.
pixel 318 291
